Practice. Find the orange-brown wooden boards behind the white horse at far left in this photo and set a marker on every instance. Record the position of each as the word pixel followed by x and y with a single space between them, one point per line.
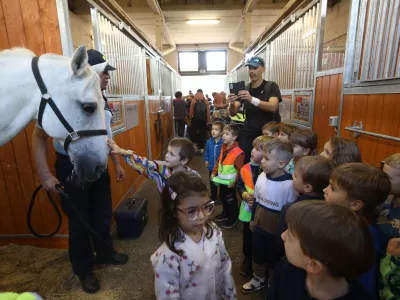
pixel 32 24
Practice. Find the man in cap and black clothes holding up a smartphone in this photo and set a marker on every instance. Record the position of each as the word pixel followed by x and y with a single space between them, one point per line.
pixel 260 103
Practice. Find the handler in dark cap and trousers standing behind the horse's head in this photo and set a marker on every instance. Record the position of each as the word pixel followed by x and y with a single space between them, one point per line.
pixel 93 201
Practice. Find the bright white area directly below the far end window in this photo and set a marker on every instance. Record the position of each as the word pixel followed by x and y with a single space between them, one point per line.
pixel 208 83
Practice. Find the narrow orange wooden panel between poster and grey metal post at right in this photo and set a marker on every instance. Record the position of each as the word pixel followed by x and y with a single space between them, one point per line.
pixel 327 103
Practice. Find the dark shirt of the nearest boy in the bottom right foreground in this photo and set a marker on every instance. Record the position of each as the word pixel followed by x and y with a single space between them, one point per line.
pixel 289 283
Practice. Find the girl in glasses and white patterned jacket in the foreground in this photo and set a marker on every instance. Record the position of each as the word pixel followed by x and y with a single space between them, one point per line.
pixel 192 262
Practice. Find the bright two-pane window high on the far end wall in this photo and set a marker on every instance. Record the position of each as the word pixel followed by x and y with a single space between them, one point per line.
pixel 202 62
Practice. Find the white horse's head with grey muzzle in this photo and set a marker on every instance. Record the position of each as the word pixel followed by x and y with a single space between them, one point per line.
pixel 75 89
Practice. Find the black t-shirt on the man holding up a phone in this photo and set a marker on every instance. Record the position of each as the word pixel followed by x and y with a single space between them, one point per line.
pixel 255 117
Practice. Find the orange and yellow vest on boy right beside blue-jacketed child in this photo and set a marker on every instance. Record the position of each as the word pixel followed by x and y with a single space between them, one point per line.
pixel 227 172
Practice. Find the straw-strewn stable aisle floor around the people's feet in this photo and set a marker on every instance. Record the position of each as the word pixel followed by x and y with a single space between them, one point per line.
pixel 135 280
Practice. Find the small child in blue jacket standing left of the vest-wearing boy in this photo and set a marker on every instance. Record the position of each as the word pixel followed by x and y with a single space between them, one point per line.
pixel 213 149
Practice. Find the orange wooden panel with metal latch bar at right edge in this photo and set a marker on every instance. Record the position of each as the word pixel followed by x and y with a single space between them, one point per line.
pixel 379 113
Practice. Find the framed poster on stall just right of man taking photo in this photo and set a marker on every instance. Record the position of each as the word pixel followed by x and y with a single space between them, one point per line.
pixel 302 107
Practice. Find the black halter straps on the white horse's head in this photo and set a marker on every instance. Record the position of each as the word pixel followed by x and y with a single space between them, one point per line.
pixel 73 135
